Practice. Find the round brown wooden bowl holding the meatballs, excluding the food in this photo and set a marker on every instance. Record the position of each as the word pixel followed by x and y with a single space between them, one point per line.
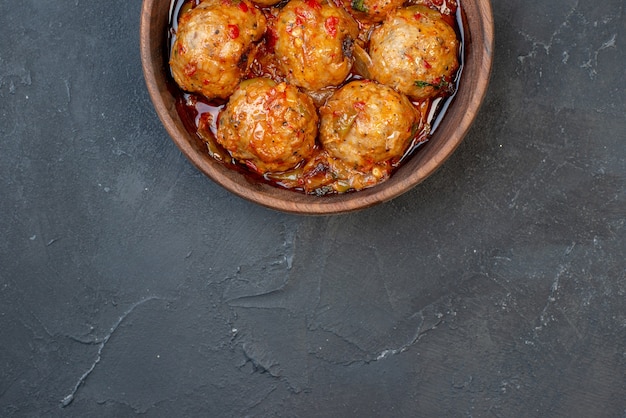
pixel 479 41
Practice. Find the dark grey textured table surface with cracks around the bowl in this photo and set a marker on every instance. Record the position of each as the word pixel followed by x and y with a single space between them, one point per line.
pixel 130 284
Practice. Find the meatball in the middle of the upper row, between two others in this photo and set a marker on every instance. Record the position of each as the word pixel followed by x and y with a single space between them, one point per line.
pixel 314 43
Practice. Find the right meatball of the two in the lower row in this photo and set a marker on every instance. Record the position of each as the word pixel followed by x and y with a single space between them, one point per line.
pixel 365 123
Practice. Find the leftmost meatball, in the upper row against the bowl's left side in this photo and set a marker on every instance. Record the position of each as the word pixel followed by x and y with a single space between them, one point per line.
pixel 210 53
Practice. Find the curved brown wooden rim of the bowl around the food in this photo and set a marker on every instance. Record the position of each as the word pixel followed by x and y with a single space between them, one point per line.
pixel 290 201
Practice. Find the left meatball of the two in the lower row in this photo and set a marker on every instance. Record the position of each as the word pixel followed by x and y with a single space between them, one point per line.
pixel 269 127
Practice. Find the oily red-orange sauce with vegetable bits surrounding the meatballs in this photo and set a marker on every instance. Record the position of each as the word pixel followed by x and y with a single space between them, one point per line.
pixel 321 173
